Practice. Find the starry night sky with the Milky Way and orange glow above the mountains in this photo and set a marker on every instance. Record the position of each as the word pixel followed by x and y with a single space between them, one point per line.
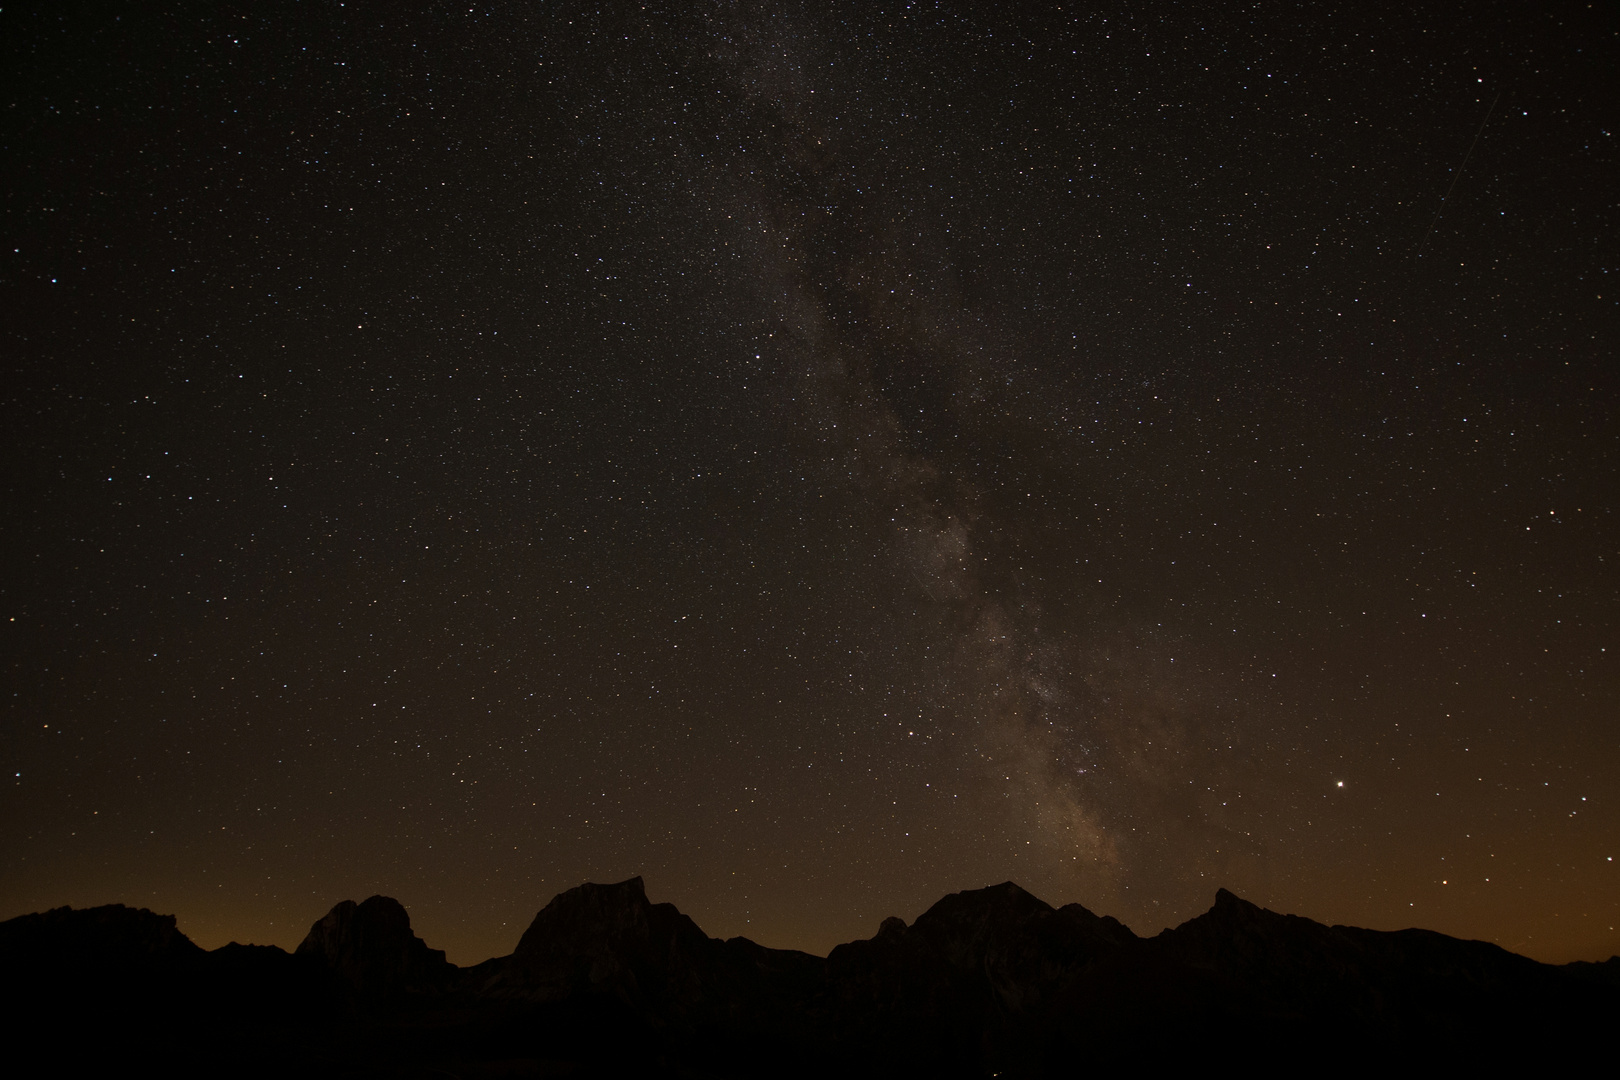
pixel 816 457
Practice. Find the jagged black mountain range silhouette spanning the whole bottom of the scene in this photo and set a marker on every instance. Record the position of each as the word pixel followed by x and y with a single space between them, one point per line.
pixel 991 982
